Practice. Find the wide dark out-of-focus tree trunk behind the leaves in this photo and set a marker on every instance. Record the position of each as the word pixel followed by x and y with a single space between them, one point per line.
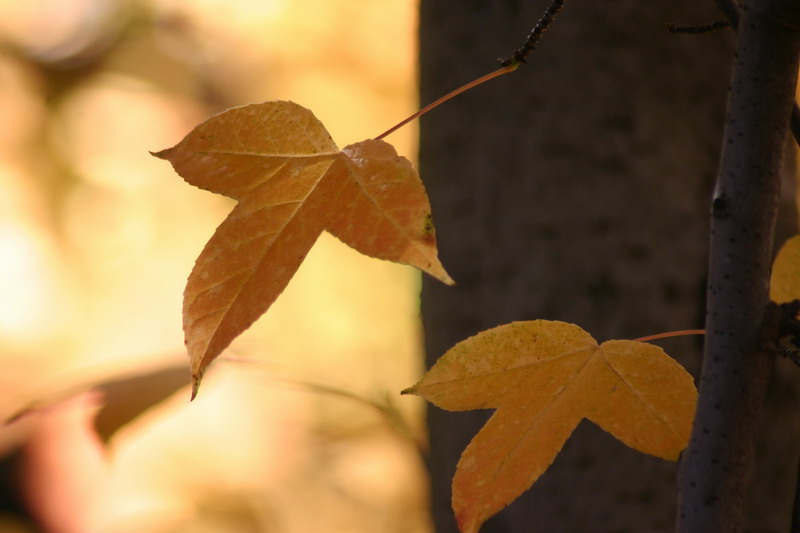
pixel 575 189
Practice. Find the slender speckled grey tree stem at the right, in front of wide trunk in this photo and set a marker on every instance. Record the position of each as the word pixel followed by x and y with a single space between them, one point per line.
pixel 741 326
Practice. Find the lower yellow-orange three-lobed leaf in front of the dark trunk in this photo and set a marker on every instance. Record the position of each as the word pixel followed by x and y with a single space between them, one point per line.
pixel 543 378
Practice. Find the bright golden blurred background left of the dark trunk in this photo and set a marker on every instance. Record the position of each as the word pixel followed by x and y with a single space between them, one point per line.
pixel 300 427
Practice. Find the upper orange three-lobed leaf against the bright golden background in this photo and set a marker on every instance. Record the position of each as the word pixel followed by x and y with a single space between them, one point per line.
pixel 291 183
